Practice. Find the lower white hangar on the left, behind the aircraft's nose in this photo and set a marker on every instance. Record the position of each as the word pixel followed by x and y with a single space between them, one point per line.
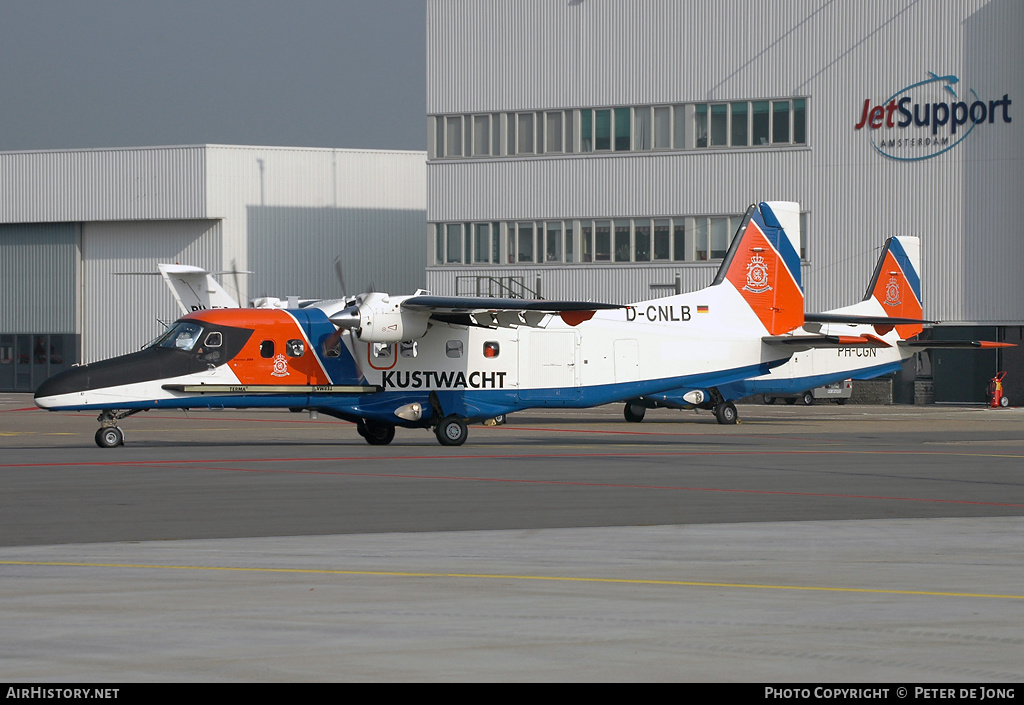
pixel 74 224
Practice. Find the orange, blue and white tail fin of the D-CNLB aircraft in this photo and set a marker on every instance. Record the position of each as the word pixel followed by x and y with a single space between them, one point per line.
pixel 763 265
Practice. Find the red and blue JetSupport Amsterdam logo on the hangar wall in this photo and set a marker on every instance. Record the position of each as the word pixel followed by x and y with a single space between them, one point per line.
pixel 928 118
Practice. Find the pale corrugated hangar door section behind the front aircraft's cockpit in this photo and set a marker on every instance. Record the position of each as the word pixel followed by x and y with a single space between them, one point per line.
pixel 123 312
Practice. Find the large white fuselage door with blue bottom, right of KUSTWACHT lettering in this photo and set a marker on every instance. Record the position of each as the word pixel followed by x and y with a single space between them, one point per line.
pixel 548 367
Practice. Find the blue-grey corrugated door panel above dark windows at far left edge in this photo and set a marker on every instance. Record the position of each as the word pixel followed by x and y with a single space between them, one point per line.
pixel 39 278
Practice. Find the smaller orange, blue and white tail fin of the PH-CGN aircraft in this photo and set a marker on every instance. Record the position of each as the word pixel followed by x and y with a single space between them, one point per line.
pixel 897 283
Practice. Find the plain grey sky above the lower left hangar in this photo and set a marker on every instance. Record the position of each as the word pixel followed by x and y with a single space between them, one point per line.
pixel 132 73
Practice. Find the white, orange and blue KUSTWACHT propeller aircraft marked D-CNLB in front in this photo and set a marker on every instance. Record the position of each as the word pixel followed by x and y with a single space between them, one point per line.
pixel 442 362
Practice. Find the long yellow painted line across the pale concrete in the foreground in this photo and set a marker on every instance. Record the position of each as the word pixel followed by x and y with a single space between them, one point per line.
pixel 484 576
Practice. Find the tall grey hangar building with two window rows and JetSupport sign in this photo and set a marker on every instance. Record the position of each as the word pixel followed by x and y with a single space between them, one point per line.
pixel 607 150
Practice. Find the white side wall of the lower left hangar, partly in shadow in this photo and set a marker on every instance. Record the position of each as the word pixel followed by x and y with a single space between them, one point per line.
pixel 289 213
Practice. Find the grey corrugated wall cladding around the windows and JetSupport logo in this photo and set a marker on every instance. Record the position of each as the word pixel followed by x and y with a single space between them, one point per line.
pixel 533 55
